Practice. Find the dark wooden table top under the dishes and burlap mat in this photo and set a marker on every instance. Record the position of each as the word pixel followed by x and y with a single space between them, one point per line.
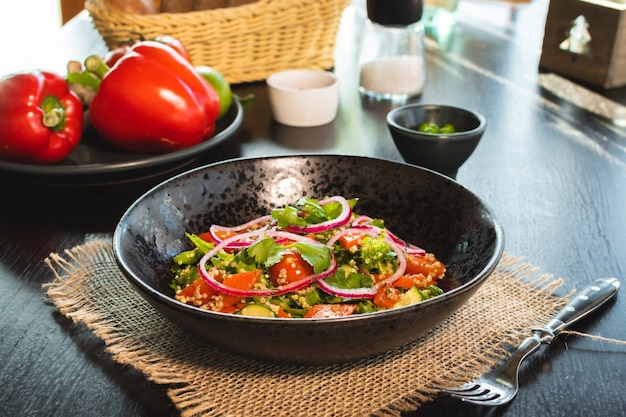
pixel 552 166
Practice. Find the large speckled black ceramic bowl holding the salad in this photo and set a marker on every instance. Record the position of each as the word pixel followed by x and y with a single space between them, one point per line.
pixel 421 206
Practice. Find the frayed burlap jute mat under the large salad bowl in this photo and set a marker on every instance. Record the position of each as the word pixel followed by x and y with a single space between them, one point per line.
pixel 203 380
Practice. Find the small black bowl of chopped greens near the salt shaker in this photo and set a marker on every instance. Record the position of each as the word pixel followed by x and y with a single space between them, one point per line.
pixel 444 153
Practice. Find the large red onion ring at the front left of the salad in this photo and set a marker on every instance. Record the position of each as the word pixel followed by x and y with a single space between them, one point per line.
pixel 294 286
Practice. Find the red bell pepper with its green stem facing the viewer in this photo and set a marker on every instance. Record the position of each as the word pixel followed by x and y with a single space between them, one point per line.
pixel 41 120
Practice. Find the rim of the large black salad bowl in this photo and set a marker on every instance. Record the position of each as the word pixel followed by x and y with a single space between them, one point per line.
pixel 172 302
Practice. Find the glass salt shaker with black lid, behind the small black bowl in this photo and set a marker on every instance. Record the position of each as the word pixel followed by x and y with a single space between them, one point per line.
pixel 391 60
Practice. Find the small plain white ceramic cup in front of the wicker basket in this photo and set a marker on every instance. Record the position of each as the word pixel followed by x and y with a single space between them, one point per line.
pixel 303 97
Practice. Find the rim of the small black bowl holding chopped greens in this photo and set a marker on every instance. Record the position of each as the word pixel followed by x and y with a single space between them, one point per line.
pixel 392 123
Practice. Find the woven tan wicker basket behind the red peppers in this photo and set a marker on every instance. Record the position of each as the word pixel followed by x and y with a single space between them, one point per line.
pixel 245 43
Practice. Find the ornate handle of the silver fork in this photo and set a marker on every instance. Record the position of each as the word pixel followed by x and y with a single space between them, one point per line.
pixel 588 300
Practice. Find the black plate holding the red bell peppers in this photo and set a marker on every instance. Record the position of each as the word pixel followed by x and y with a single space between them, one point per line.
pixel 94 161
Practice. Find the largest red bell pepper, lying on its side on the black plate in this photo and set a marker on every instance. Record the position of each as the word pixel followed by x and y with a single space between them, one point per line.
pixel 153 100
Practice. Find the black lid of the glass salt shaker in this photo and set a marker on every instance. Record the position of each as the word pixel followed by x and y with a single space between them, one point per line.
pixel 394 12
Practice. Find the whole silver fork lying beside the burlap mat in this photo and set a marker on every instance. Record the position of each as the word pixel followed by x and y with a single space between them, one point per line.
pixel 499 386
